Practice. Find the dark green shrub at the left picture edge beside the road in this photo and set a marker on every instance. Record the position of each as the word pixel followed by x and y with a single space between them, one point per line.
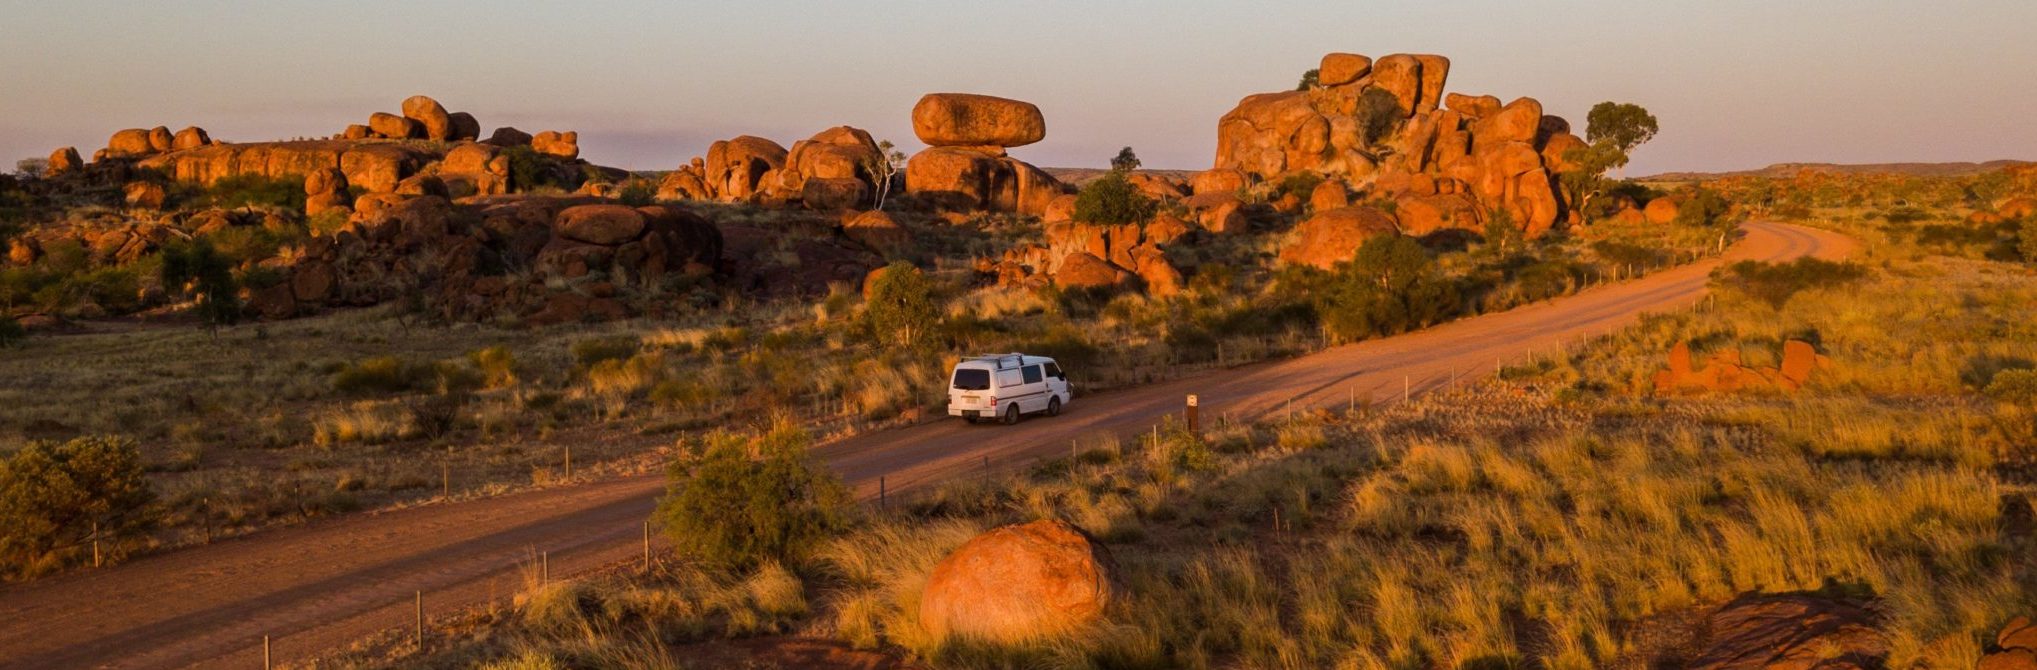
pixel 54 498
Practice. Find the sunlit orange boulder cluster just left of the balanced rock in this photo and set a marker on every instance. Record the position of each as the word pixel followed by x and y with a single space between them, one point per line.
pixel 834 170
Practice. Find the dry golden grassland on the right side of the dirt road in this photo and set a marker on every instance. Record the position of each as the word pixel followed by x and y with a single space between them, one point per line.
pixel 1561 516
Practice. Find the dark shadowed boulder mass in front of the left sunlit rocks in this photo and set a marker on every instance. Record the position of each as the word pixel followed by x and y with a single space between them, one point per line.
pixel 577 252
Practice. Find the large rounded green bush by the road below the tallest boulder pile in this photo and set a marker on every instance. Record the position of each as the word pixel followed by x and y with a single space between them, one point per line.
pixel 1392 286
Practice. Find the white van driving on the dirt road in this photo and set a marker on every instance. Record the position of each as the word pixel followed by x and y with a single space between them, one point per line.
pixel 1007 386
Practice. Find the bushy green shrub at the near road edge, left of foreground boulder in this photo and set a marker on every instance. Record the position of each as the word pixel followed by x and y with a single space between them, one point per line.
pixel 747 502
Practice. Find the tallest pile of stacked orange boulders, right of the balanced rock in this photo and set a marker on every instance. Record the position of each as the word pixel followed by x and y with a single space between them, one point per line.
pixel 1388 131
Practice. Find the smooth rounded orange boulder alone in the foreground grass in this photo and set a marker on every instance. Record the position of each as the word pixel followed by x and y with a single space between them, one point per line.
pixel 1020 583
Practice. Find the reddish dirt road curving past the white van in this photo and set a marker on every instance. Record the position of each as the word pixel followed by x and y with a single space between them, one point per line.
pixel 329 583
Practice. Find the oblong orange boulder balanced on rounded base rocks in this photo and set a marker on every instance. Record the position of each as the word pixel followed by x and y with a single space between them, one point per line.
pixel 965 164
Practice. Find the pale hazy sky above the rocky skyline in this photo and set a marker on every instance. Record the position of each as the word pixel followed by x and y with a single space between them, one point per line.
pixel 651 85
